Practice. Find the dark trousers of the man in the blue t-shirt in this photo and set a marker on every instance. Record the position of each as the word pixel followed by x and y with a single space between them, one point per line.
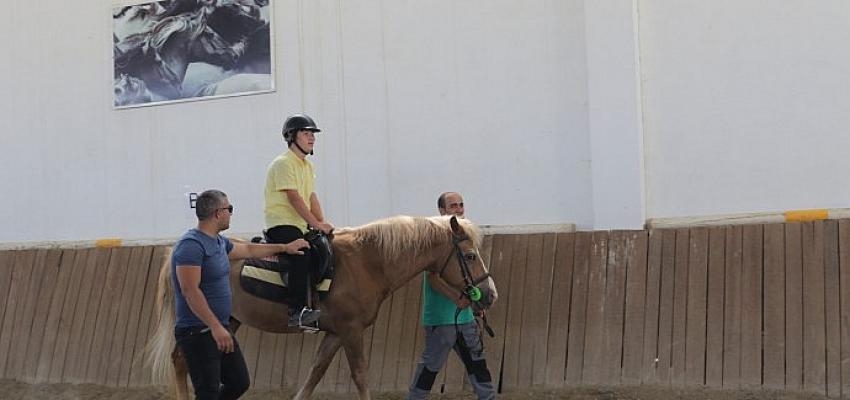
pixel 215 375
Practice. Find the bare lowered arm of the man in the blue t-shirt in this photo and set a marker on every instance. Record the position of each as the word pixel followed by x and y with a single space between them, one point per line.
pixel 189 278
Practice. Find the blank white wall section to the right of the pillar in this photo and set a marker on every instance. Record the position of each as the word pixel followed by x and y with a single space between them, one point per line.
pixel 746 105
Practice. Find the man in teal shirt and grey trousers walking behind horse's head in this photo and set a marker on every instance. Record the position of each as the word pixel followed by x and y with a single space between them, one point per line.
pixel 444 332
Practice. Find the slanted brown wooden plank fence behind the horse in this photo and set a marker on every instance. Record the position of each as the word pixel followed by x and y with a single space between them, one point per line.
pixel 739 306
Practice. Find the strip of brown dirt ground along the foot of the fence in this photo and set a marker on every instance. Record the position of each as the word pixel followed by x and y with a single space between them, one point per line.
pixel 13 390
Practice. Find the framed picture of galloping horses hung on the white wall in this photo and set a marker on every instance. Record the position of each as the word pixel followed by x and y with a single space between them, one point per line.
pixel 181 50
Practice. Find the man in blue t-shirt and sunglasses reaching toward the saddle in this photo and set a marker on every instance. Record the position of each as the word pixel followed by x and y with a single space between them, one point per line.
pixel 200 277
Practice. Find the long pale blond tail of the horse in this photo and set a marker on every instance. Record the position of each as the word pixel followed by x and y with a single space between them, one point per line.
pixel 162 342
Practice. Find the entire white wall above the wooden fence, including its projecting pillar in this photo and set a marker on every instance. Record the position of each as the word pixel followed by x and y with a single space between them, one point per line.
pixel 596 112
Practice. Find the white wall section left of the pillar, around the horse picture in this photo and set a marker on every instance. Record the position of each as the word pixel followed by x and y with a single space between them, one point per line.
pixel 485 97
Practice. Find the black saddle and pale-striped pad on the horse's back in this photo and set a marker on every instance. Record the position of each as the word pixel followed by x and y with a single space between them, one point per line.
pixel 262 277
